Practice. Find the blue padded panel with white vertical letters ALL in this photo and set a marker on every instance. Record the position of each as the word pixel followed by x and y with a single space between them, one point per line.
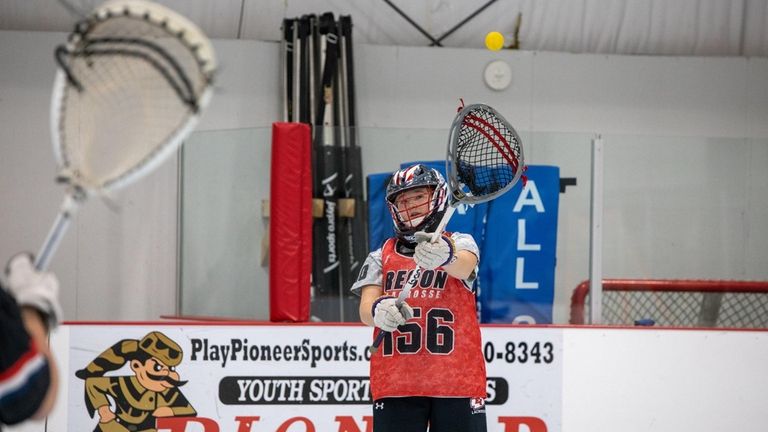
pixel 517 251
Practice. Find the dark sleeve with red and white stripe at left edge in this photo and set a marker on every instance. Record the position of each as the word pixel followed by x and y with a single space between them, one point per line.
pixel 24 372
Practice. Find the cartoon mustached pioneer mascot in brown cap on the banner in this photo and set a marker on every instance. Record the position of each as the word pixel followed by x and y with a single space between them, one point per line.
pixel 151 392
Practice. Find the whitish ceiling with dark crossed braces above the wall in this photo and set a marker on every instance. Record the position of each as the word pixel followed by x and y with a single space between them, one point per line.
pixel 645 27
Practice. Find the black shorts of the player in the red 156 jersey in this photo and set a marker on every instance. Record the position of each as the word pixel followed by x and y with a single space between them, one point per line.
pixel 414 414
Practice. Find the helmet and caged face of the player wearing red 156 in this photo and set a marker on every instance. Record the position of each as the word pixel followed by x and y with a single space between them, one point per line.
pixel 417 200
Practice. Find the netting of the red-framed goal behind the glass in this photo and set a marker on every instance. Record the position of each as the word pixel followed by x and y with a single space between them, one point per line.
pixel 685 308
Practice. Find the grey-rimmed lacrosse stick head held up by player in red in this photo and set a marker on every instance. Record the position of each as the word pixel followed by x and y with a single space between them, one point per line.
pixel 485 155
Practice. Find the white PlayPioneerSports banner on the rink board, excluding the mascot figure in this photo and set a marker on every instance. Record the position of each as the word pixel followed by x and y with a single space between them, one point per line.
pixel 302 378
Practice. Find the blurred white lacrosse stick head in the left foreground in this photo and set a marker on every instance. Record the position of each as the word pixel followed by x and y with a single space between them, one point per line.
pixel 132 82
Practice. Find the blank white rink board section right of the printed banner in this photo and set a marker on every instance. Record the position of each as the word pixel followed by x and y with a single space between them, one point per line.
pixel 669 380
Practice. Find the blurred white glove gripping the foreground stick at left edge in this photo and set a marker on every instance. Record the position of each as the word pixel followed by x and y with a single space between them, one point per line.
pixel 31 288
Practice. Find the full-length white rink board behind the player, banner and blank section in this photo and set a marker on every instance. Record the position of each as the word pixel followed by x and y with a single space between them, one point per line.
pixel 598 379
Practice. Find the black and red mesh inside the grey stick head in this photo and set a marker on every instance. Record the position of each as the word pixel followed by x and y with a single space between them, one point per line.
pixel 488 153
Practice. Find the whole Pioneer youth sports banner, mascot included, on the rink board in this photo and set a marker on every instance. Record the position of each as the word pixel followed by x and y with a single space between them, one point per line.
pixel 278 378
